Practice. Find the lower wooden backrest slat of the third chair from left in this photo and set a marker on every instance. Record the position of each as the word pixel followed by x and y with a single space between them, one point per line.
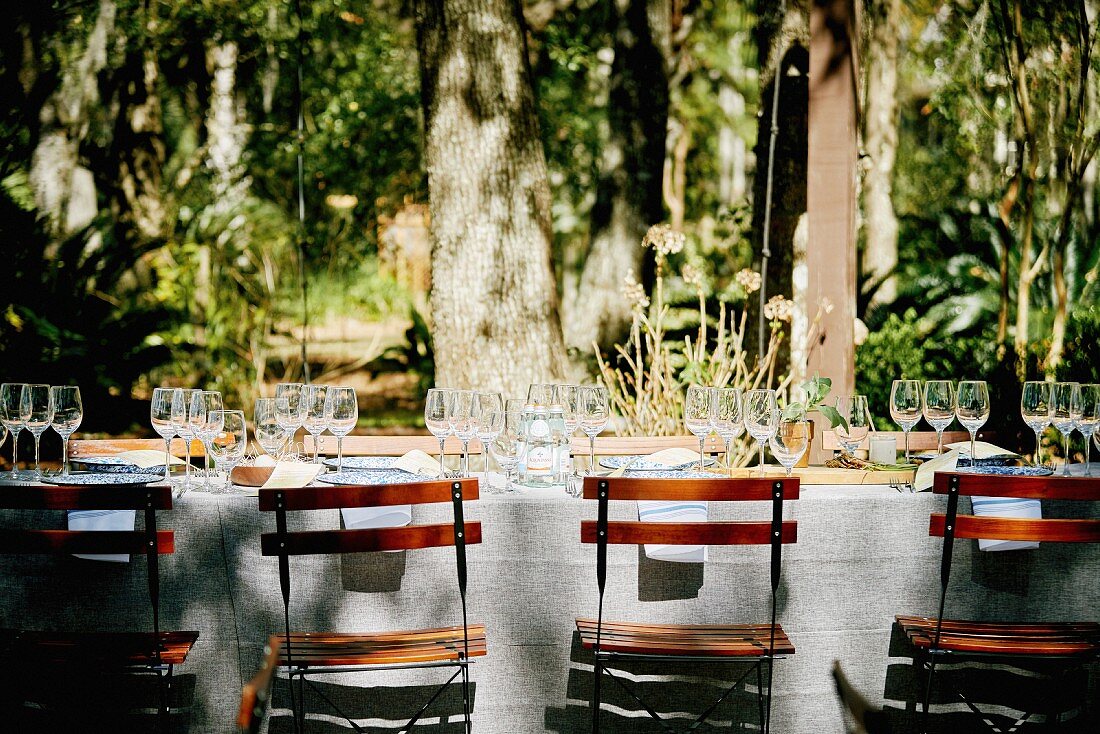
pixel 744 533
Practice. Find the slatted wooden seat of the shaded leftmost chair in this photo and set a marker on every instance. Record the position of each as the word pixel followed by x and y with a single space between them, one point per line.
pixel 103 650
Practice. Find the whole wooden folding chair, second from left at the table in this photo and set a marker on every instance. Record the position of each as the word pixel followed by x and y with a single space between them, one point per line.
pixel 329 653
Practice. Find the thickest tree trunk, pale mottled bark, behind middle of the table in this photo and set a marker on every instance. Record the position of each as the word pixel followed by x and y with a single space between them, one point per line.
pixel 493 298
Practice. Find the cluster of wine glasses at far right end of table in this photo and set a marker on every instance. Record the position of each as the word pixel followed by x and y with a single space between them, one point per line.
pixel 1070 407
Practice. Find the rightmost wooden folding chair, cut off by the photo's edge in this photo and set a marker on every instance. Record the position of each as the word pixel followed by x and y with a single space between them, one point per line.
pixel 1069 645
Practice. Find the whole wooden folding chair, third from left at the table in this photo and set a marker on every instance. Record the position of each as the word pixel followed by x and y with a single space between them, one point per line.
pixel 614 642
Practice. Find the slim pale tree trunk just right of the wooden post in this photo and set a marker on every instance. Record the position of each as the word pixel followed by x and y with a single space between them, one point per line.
pixel 881 136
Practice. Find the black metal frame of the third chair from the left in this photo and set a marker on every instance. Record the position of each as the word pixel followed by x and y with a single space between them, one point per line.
pixel 604 659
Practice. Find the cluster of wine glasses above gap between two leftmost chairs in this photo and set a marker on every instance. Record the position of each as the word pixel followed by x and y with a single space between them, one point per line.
pixel 195 414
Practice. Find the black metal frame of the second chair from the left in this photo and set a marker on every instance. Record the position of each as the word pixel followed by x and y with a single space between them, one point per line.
pixel 301 671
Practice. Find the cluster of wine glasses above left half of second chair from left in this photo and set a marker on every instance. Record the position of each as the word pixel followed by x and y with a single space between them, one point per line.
pixel 316 409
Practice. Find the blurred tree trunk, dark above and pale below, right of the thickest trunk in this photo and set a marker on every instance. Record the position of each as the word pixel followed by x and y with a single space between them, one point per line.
pixel 630 192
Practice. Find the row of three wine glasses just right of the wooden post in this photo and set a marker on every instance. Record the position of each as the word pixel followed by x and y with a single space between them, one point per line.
pixel 940 402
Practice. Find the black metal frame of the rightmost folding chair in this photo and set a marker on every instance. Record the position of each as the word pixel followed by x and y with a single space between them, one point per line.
pixel 927 661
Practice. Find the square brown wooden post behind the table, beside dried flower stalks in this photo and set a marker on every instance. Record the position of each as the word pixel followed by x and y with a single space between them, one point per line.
pixel 831 193
